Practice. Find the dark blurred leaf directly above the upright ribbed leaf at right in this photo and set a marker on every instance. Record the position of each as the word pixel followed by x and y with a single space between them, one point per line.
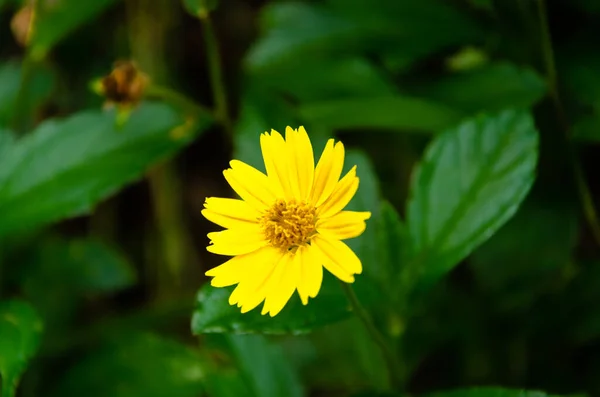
pixel 493 87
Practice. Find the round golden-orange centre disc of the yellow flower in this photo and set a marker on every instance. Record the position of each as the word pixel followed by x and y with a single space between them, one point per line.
pixel 289 224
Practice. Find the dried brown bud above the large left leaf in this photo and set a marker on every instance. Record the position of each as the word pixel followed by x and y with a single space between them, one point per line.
pixel 125 85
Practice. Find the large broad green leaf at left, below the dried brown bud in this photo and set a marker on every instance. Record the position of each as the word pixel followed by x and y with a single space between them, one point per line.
pixel 76 162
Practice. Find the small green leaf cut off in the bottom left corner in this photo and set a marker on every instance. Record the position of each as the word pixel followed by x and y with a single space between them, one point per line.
pixel 20 332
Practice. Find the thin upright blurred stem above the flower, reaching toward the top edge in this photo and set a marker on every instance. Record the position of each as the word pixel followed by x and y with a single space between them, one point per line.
pixel 215 70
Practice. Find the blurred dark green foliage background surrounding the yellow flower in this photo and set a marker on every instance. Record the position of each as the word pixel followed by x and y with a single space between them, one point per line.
pixel 102 244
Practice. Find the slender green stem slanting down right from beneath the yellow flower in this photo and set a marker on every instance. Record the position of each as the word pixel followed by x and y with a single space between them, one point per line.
pixel 394 367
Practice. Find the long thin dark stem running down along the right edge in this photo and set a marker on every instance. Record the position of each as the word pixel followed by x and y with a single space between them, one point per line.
pixel 587 203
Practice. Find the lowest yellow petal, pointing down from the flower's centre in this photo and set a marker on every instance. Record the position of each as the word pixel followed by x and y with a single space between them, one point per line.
pixel 281 286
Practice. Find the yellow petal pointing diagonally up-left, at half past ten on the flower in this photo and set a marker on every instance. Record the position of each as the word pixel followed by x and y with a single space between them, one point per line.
pixel 250 184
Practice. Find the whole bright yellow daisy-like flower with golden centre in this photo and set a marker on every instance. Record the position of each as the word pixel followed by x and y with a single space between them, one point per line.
pixel 288 225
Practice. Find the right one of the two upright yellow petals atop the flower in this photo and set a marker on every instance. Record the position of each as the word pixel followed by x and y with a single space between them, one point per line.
pixel 302 162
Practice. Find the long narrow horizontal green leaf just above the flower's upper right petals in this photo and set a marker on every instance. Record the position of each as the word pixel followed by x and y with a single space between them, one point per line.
pixel 386 112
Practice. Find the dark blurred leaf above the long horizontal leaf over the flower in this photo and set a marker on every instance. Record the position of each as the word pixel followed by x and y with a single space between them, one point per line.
pixel 318 78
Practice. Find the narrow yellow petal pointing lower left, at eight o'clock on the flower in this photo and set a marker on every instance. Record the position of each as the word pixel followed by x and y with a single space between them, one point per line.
pixel 239 267
